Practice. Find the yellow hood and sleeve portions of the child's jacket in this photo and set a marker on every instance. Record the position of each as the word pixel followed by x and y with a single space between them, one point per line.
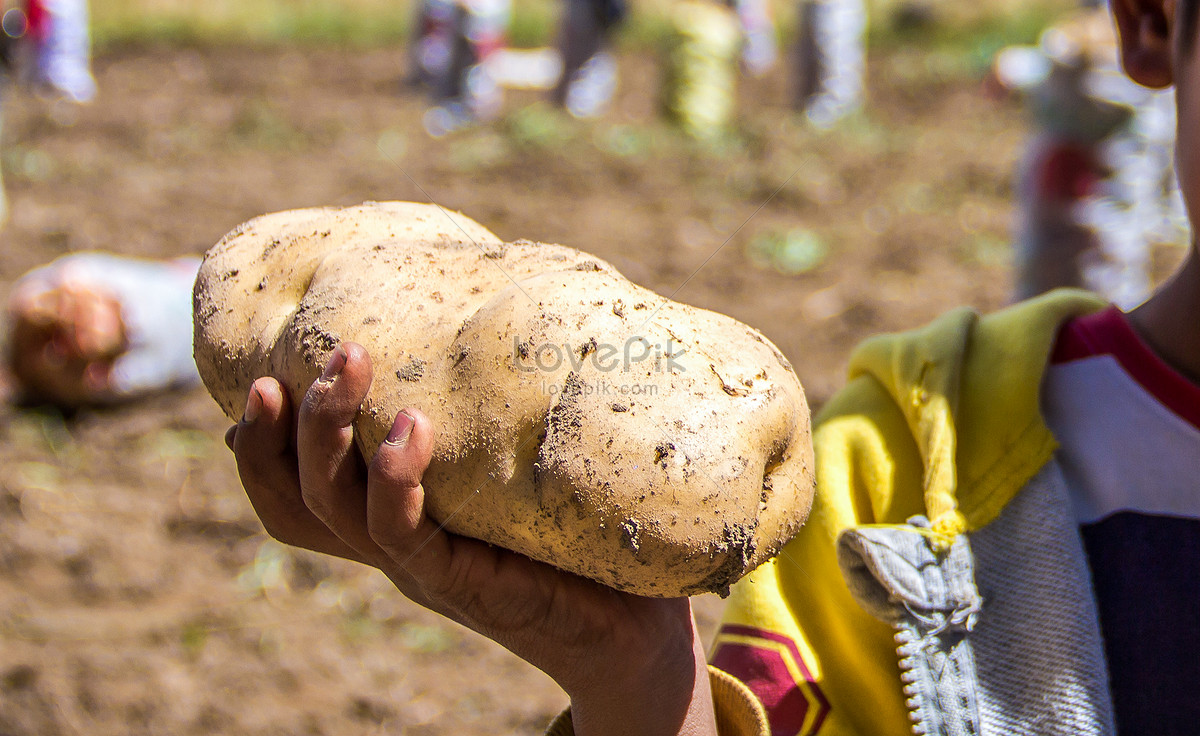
pixel 943 422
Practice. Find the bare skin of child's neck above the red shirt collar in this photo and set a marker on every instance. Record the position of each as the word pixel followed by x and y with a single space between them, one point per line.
pixel 1171 320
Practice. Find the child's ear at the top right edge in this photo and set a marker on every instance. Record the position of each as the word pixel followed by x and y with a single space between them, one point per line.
pixel 1144 28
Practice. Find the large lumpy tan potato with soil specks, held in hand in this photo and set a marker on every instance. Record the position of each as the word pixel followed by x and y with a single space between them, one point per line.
pixel 583 421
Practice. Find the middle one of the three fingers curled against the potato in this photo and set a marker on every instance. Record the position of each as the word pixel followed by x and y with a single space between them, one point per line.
pixel 332 476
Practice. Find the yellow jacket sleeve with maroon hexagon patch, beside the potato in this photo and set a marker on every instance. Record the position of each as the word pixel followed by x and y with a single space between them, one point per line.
pixel 791 631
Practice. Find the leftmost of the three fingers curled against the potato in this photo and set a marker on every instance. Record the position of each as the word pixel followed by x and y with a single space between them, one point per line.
pixel 267 464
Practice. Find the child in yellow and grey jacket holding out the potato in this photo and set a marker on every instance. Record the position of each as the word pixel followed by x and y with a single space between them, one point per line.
pixel 1006 536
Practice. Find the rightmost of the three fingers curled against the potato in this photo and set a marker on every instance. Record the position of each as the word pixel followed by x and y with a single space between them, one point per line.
pixel 416 546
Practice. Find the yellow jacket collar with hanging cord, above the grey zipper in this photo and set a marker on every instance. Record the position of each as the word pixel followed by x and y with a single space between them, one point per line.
pixel 969 387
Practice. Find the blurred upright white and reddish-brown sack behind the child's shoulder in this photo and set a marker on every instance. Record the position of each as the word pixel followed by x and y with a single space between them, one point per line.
pixel 1097 187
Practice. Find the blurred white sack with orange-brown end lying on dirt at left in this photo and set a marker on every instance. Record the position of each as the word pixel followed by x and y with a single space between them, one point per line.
pixel 97 328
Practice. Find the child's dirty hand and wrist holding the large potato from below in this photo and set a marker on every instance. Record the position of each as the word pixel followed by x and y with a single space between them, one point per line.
pixel 631 665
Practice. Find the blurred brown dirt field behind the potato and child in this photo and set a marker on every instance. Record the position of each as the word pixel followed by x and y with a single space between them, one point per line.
pixel 139 594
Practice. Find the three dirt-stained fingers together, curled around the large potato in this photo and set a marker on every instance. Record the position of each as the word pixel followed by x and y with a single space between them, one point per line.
pixel 316 493
